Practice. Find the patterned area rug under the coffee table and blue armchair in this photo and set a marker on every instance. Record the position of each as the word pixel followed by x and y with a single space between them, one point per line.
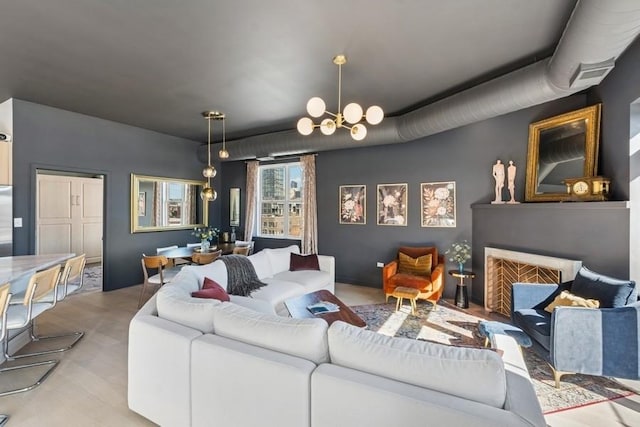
pixel 451 325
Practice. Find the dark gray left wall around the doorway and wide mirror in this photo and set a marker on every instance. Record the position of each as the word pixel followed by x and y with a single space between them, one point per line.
pixel 50 138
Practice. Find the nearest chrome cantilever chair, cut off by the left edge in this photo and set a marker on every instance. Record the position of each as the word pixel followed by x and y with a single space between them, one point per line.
pixel 5 298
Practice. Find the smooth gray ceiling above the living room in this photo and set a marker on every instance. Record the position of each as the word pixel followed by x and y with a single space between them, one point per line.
pixel 157 64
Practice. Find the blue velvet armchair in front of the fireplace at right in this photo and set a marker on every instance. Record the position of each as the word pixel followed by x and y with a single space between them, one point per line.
pixel 603 341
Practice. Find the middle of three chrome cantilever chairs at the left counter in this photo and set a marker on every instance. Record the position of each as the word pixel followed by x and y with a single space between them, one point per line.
pixel 37 299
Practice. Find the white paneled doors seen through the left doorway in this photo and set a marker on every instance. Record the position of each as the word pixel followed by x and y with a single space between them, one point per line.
pixel 69 215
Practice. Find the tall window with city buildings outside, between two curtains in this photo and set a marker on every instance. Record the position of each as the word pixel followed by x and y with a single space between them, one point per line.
pixel 280 201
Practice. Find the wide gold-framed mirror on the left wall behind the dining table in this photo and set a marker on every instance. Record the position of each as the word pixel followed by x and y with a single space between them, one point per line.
pixel 162 204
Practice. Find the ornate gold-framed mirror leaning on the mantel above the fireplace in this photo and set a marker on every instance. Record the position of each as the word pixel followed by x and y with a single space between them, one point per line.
pixel 561 147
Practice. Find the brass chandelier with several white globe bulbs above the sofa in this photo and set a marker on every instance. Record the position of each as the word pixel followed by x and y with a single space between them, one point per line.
pixel 352 114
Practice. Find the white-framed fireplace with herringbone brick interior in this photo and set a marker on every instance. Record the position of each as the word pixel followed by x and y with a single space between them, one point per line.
pixel 502 268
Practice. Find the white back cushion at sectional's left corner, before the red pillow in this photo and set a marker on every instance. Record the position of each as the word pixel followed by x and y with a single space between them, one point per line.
pixel 177 305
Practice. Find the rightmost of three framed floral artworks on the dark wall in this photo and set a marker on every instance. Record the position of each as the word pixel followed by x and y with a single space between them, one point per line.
pixel 438 204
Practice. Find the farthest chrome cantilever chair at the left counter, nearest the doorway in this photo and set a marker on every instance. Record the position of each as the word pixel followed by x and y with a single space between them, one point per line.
pixel 70 281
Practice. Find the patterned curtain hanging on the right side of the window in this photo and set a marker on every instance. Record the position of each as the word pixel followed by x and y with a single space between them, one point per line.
pixel 309 207
